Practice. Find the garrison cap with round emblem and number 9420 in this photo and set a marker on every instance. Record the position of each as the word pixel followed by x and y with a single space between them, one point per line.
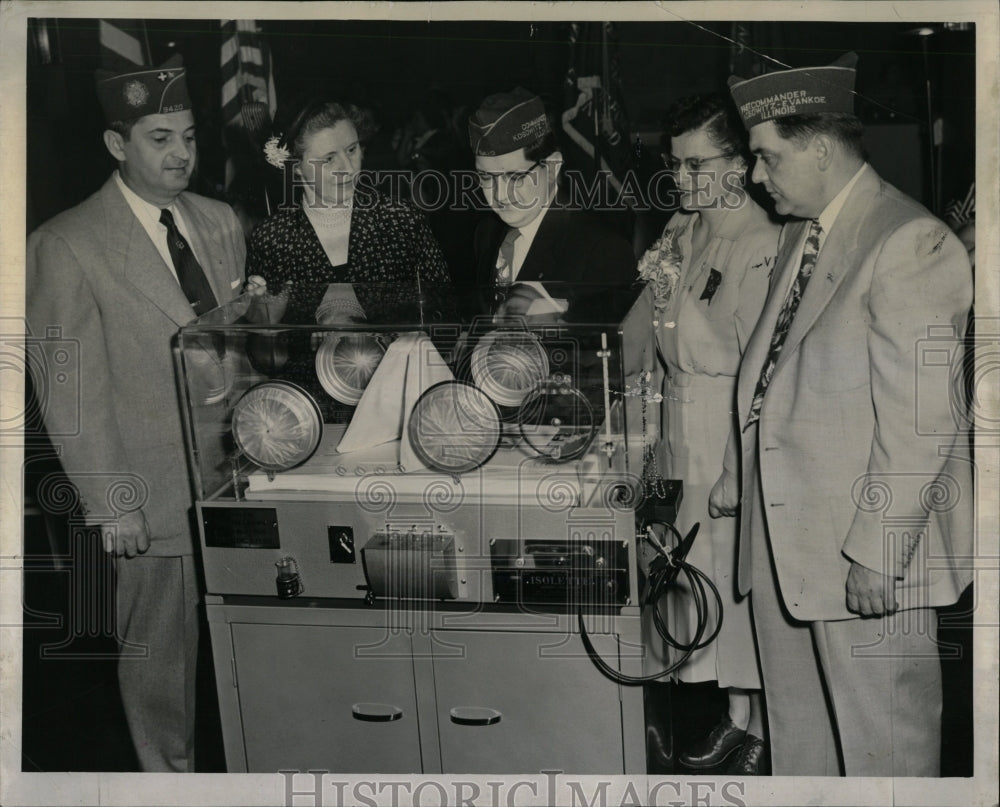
pixel 140 91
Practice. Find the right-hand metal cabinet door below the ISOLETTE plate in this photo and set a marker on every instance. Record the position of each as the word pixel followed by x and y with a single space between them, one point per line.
pixel 511 704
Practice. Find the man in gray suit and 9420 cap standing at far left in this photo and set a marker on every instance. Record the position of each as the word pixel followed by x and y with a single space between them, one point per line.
pixel 119 274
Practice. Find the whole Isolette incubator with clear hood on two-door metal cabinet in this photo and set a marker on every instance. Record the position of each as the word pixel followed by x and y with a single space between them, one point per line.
pixel 412 605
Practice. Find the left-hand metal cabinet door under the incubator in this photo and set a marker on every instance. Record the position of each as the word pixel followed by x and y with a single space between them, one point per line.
pixel 310 700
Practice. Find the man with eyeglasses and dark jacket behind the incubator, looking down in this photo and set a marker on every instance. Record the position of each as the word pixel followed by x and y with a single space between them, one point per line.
pixel 538 257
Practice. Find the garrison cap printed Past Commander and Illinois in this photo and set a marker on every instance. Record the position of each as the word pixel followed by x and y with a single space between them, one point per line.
pixel 803 91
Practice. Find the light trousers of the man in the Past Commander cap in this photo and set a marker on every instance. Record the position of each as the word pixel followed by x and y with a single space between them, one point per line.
pixel 860 697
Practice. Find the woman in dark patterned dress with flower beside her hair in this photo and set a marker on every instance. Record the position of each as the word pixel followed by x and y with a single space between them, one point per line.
pixel 344 231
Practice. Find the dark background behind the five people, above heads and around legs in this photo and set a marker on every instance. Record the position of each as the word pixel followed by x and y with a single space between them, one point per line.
pixel 72 718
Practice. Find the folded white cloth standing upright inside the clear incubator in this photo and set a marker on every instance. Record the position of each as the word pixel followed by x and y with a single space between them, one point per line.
pixel 411 365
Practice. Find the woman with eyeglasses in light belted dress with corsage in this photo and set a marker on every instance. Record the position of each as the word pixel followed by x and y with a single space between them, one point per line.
pixel 710 272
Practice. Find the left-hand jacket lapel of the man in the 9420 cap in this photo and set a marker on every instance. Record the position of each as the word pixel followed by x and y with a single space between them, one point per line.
pixel 137 259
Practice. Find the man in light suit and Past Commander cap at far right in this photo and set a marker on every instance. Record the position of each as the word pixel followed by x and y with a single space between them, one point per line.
pixel 856 489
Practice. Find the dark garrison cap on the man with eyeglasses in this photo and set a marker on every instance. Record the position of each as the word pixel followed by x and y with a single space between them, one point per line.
pixel 506 122
